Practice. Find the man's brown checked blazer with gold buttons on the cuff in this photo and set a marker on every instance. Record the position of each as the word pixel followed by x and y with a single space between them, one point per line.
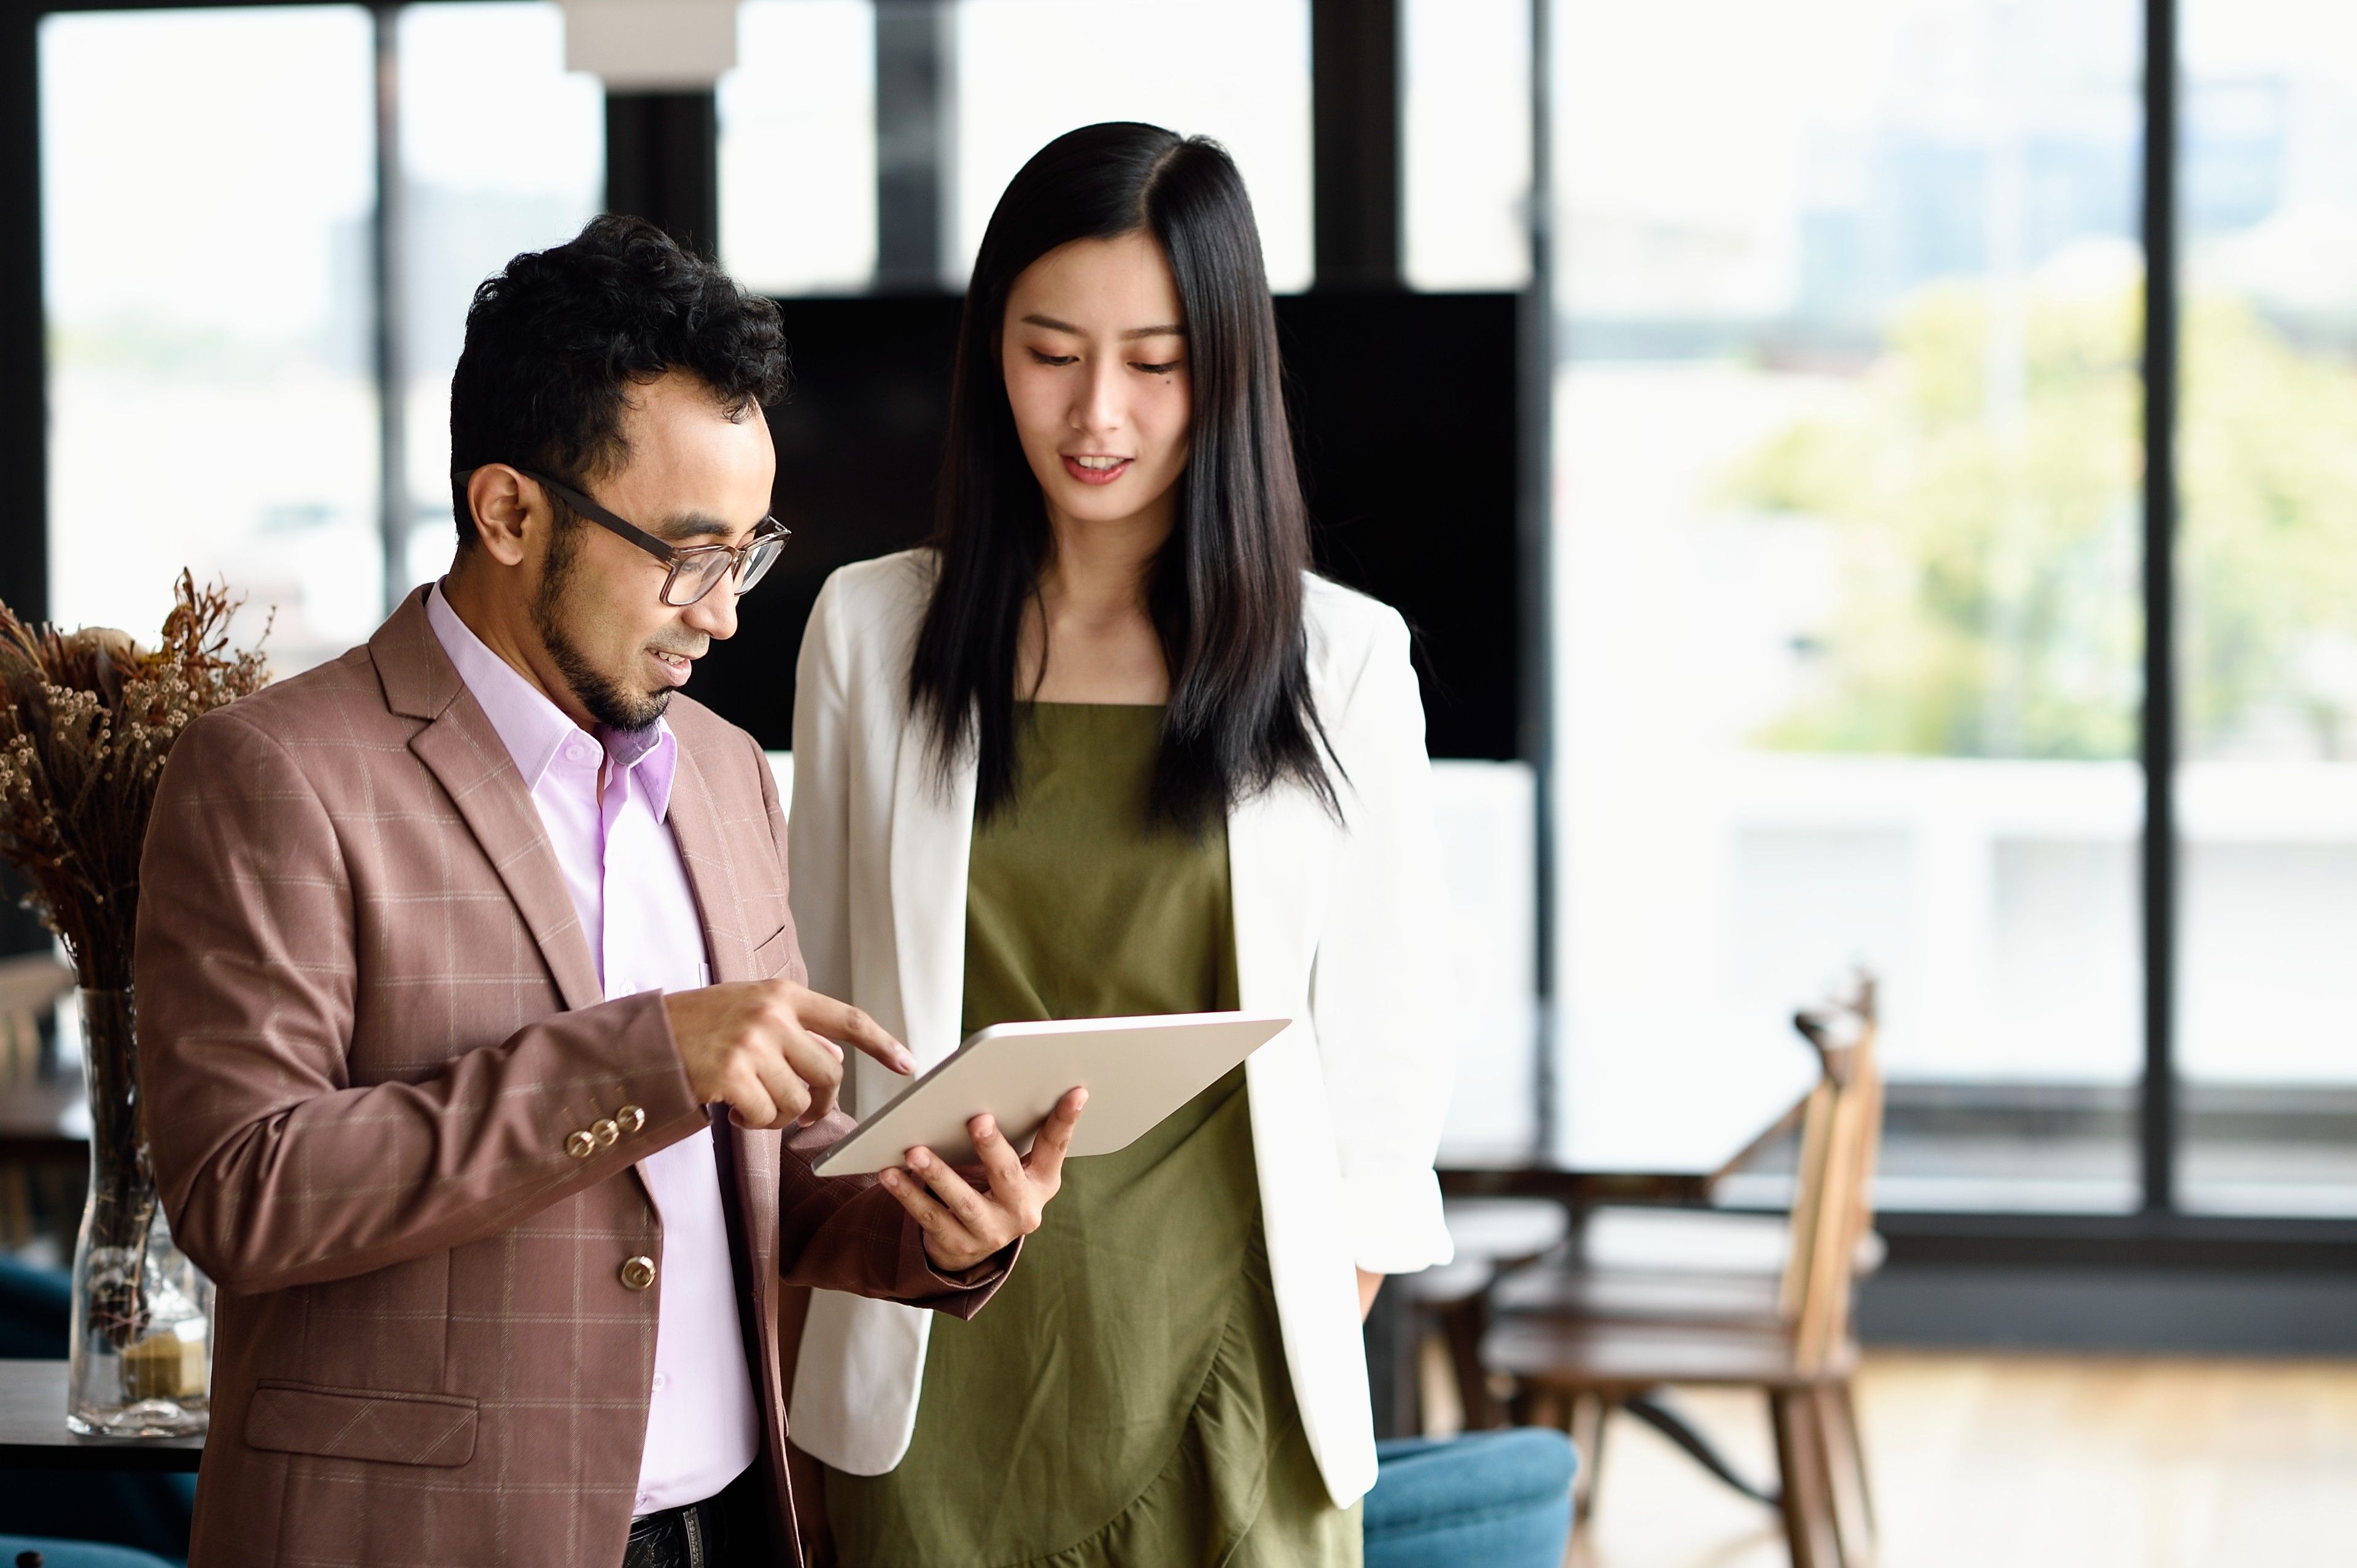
pixel 371 1046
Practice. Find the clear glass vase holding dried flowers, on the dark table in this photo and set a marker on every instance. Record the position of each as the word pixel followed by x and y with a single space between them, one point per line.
pixel 143 1312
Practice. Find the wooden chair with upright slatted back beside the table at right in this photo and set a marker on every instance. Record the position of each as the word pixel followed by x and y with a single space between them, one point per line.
pixel 1613 1343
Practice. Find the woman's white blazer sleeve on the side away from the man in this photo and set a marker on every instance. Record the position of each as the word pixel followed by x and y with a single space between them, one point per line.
pixel 1380 987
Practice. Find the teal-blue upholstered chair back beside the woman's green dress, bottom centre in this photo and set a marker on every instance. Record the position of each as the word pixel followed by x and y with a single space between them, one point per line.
pixel 1493 1498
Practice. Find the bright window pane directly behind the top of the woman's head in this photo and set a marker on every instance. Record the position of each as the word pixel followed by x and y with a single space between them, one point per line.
pixel 1229 70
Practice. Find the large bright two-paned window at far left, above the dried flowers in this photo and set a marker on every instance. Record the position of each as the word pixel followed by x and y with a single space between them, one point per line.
pixel 216 291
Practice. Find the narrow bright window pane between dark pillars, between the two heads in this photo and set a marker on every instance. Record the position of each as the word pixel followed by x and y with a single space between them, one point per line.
pixel 800 147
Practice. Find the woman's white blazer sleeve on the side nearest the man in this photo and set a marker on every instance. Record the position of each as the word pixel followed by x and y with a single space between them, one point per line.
pixel 819 834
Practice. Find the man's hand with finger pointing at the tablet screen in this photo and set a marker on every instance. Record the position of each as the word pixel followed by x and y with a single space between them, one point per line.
pixel 770 1048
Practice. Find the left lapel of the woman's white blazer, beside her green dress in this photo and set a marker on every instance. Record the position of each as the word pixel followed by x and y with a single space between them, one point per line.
pixel 932 843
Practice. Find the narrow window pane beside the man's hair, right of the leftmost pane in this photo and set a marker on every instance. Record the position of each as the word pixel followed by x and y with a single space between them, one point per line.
pixel 501 152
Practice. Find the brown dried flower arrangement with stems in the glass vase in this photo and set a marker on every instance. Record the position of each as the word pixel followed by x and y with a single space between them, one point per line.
pixel 86 723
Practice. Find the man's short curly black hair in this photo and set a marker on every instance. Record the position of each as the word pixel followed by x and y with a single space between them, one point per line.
pixel 560 336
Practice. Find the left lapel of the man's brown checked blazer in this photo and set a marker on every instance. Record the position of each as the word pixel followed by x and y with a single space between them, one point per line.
pixel 470 760
